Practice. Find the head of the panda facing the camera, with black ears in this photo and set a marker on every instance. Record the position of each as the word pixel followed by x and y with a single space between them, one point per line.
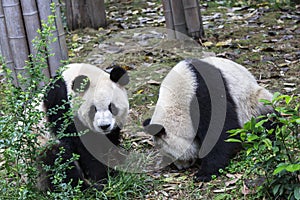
pixel 103 103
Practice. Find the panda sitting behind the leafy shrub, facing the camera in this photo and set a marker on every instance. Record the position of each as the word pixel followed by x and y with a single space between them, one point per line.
pixel 97 102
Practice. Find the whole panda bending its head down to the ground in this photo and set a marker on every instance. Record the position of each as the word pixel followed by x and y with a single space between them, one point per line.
pixel 199 101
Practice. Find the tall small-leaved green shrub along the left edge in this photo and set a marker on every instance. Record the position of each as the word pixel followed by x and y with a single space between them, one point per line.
pixel 20 127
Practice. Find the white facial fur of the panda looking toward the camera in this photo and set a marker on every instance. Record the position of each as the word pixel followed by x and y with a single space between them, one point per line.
pixel 101 92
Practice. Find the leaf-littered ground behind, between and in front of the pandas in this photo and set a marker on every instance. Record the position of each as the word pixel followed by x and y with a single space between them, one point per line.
pixel 262 38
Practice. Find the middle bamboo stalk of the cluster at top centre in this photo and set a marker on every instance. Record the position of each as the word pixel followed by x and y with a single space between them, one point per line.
pixel 179 19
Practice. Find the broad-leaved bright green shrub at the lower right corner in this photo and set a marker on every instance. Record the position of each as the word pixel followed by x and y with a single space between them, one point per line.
pixel 274 154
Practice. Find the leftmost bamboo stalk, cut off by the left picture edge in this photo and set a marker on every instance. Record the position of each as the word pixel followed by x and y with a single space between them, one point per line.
pixel 4 46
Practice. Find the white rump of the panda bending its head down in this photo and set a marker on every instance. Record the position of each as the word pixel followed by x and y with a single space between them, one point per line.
pixel 243 88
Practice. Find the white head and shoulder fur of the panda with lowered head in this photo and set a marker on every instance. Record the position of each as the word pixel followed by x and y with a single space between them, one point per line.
pixel 172 111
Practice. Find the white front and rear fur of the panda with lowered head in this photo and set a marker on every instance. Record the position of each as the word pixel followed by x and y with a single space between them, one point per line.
pixel 172 108
